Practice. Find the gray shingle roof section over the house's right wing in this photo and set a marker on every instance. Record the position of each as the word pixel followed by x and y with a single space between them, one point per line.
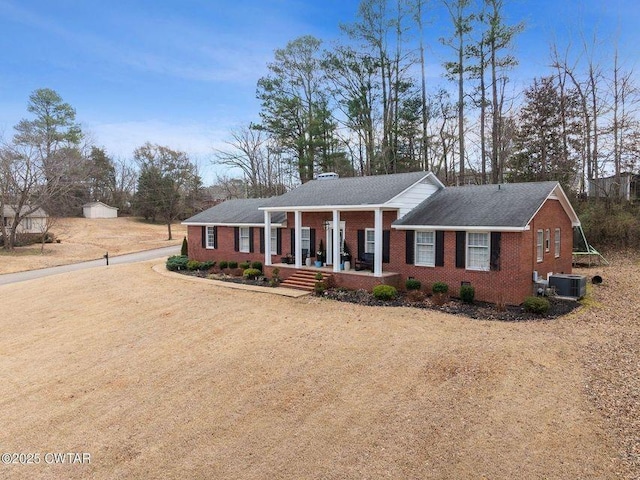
pixel 505 205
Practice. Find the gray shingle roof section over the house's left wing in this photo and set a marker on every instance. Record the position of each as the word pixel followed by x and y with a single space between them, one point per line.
pixel 236 212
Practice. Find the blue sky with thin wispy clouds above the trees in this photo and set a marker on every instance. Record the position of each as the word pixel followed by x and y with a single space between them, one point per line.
pixel 183 73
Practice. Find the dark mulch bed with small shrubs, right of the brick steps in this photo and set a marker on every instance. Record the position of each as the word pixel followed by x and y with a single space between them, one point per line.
pixel 476 310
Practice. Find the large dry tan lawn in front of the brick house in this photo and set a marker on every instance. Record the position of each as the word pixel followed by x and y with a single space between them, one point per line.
pixel 157 377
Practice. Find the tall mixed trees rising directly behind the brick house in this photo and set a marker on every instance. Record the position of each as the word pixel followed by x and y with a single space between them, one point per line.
pixel 368 105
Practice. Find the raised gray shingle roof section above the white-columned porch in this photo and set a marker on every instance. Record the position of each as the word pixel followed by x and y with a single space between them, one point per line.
pixel 372 190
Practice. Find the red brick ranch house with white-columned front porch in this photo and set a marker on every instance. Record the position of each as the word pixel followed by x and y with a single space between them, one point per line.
pixel 497 238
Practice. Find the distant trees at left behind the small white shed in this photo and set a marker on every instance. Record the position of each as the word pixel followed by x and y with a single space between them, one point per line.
pixel 50 163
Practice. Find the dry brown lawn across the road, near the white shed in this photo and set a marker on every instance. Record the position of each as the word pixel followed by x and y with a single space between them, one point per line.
pixel 89 239
